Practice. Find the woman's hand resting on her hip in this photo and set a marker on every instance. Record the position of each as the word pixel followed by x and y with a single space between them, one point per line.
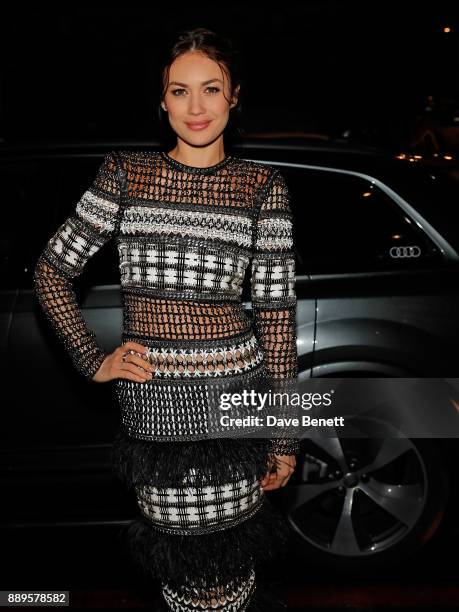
pixel 123 364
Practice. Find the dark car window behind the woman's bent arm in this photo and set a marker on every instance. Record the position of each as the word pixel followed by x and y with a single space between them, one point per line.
pixel 40 194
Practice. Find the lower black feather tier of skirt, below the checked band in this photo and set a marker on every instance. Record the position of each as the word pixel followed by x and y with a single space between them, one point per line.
pixel 214 558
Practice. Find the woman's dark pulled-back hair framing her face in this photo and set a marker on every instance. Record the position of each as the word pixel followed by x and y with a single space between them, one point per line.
pixel 218 48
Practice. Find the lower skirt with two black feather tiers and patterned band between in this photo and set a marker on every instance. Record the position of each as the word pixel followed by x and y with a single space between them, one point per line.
pixel 180 486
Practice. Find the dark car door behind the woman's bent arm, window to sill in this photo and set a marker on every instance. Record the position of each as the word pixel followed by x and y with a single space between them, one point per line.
pixel 57 429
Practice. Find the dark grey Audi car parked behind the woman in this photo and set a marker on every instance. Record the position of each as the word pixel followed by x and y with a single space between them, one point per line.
pixel 377 252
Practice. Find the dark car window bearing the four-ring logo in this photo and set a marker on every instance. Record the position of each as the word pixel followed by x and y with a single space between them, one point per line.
pixel 343 223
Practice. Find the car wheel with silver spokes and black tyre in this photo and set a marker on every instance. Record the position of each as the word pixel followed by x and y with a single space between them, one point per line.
pixel 365 502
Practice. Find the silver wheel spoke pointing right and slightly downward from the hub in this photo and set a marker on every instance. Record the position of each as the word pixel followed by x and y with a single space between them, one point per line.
pixel 402 501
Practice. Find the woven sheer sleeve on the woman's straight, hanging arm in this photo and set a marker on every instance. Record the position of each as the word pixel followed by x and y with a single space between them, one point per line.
pixel 273 292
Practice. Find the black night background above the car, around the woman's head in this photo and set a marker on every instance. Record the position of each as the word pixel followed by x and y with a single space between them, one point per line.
pixel 89 71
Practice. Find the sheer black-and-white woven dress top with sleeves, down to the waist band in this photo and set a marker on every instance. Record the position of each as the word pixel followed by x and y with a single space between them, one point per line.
pixel 185 238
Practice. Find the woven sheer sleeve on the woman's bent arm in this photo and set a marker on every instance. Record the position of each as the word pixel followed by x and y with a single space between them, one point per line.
pixel 82 234
